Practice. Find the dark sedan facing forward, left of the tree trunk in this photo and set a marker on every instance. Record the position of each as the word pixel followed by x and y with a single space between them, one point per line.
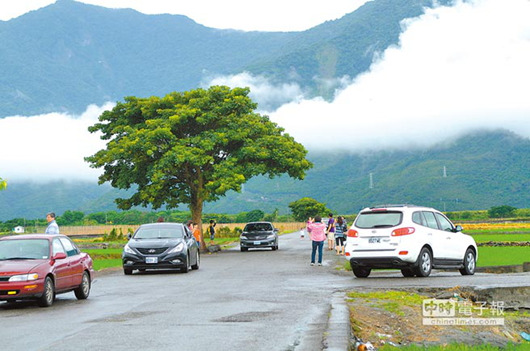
pixel 161 246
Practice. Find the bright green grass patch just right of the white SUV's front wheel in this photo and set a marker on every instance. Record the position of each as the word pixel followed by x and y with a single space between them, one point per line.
pixel 502 255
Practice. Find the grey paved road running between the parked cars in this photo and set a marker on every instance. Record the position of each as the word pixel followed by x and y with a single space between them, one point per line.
pixel 257 300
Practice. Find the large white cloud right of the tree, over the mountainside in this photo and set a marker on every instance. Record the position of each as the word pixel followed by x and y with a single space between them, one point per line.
pixel 455 69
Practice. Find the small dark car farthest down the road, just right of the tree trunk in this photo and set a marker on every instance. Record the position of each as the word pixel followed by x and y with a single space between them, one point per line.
pixel 259 235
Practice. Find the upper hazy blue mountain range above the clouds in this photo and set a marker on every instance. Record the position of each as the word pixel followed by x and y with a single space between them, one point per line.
pixel 68 55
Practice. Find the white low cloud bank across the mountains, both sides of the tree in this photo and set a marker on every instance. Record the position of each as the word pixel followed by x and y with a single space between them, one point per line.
pixel 456 69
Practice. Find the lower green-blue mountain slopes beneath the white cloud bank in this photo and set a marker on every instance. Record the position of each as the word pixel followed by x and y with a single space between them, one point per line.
pixel 482 169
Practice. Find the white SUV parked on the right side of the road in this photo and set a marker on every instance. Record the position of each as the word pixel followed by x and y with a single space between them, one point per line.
pixel 411 238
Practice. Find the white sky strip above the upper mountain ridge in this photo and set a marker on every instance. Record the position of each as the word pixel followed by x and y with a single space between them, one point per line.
pixel 270 15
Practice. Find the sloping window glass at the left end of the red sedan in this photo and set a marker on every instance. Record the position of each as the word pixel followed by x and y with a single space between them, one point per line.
pixel 24 249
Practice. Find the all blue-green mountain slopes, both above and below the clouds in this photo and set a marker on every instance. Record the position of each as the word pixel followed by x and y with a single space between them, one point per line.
pixel 68 55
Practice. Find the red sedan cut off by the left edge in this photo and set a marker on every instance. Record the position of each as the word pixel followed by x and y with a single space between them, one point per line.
pixel 39 266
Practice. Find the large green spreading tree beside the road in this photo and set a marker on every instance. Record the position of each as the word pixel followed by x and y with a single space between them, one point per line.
pixel 191 147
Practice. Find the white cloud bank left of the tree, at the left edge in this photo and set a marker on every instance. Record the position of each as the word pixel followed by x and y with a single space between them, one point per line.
pixel 49 147
